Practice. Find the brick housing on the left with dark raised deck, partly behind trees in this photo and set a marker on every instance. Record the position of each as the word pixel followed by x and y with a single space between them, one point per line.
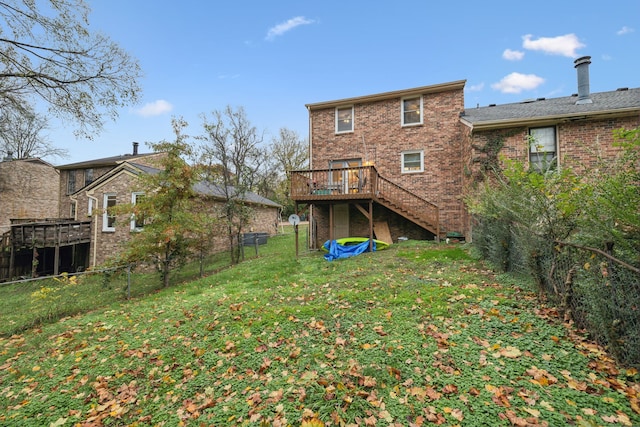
pixel 58 215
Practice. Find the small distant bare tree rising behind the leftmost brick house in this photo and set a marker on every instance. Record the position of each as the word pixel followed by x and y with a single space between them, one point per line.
pixel 21 136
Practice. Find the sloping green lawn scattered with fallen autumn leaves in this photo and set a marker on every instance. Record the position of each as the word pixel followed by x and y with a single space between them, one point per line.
pixel 417 334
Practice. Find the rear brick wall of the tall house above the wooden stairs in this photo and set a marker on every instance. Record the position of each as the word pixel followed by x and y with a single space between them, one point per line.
pixel 379 138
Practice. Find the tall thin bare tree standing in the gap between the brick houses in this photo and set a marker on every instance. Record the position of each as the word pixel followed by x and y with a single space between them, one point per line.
pixel 233 158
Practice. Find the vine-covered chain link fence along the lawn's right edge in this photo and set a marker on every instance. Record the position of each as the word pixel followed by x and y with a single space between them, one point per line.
pixel 596 288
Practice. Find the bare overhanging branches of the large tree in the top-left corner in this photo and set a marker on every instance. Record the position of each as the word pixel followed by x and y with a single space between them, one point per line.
pixel 48 53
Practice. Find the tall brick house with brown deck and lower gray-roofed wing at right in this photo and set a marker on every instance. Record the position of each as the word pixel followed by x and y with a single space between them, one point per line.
pixel 401 163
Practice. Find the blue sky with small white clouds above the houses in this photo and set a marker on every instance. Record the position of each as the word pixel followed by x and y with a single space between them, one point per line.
pixel 273 57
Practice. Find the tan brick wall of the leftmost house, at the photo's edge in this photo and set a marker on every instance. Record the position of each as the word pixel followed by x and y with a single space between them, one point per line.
pixel 28 189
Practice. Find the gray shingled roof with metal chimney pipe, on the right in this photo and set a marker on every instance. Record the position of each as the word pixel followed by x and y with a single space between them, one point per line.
pixel 614 103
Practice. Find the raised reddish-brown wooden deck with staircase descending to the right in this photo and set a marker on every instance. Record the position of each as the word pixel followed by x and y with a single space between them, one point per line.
pixel 362 184
